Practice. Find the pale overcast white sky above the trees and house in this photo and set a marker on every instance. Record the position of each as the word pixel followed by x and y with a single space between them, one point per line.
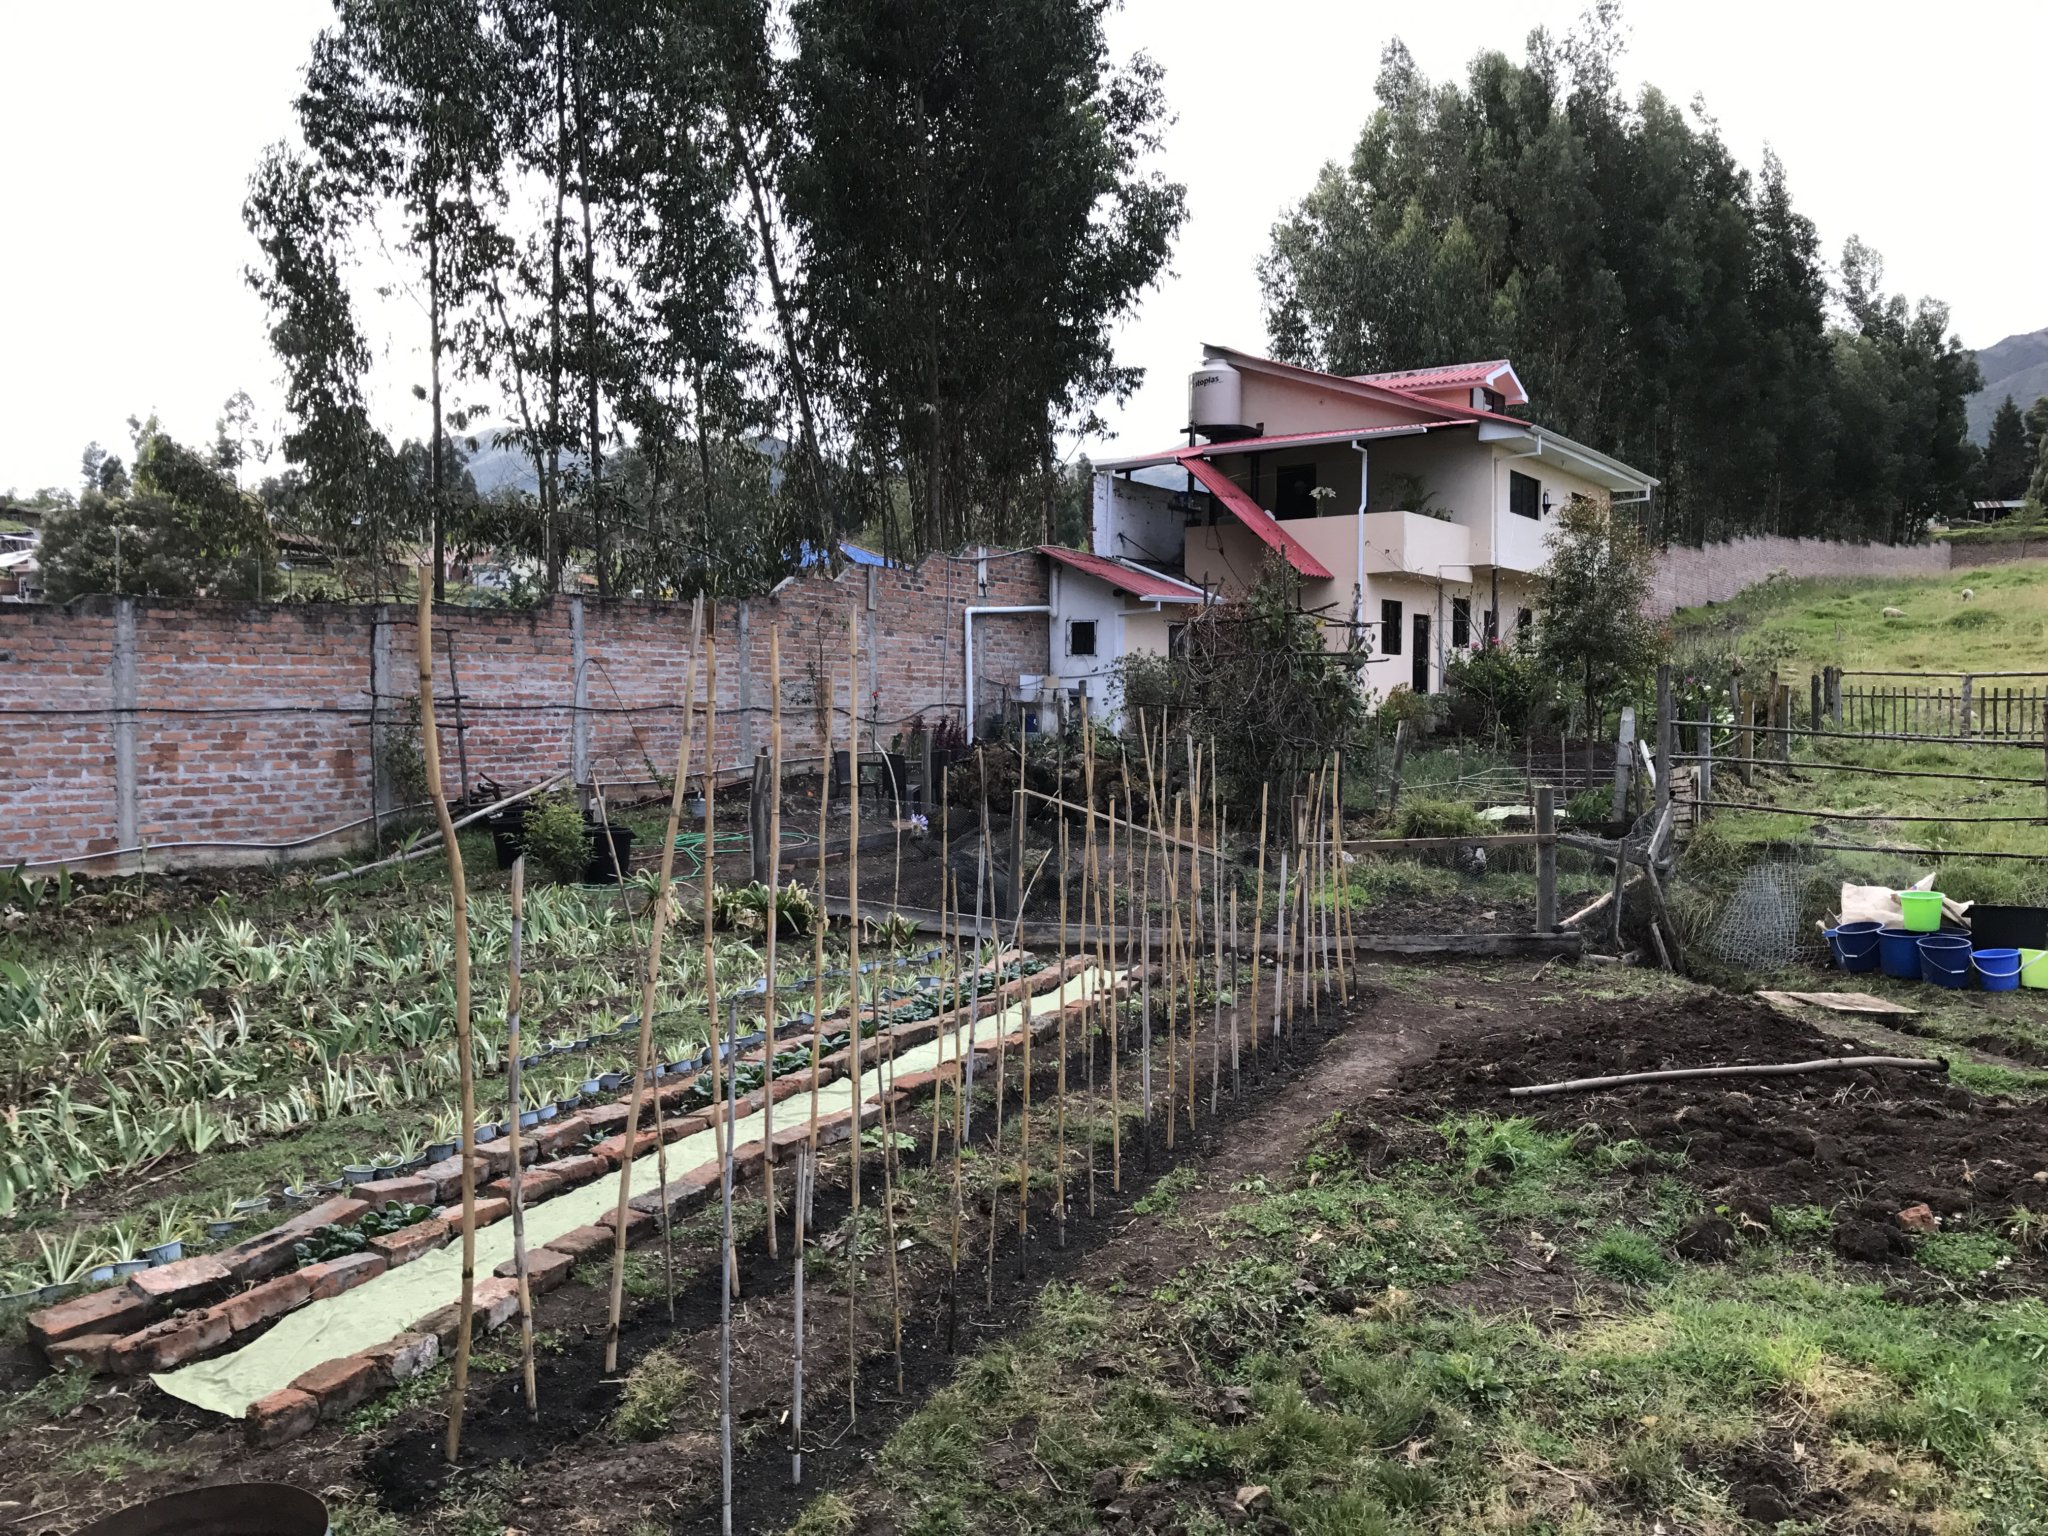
pixel 128 130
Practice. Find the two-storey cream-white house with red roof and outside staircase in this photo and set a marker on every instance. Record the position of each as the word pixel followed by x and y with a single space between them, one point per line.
pixel 1412 505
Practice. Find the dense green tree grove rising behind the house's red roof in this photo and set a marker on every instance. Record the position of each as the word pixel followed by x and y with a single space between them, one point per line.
pixel 1658 300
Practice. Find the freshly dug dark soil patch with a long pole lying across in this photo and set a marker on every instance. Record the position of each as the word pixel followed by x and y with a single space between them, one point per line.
pixel 1861 1142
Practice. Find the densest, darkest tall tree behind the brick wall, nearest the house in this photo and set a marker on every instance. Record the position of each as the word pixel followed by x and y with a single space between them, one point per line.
pixel 974 214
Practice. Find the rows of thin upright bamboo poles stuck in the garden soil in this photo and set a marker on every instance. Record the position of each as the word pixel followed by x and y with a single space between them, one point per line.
pixel 1189 939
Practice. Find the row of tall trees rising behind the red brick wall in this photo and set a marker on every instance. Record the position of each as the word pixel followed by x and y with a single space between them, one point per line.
pixel 744 280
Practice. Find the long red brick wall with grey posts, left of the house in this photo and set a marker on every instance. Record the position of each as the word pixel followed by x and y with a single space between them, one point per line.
pixel 216 732
